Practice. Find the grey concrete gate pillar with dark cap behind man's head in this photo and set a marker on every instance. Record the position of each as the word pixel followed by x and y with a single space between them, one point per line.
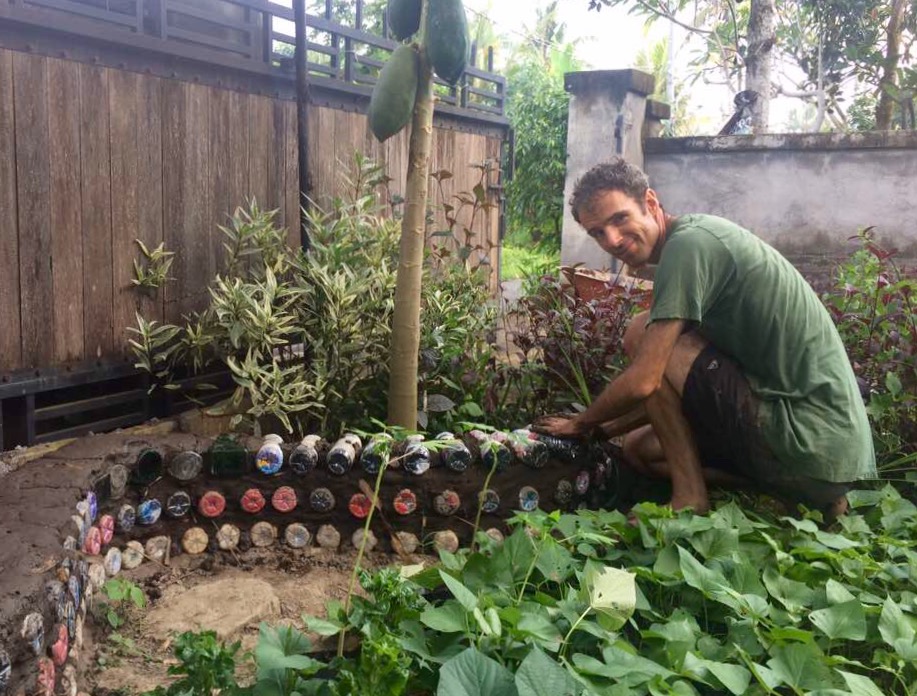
pixel 606 117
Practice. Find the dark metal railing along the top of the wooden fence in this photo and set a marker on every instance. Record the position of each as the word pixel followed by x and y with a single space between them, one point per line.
pixel 254 34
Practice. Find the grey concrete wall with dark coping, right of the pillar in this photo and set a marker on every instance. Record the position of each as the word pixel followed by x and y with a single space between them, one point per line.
pixel 799 192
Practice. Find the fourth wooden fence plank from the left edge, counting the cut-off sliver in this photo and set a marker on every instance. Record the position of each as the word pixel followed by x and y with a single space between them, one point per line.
pixel 95 157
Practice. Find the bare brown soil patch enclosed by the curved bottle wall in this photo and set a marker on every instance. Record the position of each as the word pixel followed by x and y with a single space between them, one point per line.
pixel 289 586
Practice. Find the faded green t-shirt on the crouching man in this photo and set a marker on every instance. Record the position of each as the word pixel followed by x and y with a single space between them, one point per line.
pixel 750 302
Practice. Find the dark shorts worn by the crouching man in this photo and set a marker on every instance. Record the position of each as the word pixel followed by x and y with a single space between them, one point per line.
pixel 723 414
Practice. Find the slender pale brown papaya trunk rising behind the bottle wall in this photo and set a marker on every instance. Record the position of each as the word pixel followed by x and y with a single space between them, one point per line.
pixel 402 390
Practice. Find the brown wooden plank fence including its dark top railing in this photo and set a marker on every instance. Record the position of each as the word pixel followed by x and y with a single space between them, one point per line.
pixel 152 120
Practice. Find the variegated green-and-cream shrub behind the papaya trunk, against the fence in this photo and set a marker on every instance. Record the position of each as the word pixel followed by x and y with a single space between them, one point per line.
pixel 306 335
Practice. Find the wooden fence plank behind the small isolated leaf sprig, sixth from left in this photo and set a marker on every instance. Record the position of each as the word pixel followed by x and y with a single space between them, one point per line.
pixel 149 178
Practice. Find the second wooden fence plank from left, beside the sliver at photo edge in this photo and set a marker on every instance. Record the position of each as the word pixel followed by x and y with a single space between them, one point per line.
pixel 33 178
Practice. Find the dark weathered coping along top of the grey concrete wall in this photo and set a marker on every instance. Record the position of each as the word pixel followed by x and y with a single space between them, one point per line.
pixel 874 140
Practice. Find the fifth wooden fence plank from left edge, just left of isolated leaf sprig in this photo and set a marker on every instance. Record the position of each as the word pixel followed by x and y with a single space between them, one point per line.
pixel 124 95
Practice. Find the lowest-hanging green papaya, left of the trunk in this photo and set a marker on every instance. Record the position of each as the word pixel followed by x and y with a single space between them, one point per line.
pixel 392 100
